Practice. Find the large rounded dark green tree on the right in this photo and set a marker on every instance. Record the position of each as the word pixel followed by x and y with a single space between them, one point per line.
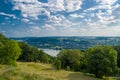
pixel 102 60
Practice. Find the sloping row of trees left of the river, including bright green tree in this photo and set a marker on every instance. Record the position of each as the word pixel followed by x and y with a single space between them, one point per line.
pixel 12 51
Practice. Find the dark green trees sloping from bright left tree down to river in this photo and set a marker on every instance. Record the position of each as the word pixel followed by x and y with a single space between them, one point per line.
pixel 33 54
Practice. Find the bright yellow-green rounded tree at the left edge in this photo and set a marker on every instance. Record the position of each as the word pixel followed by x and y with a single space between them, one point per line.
pixel 9 53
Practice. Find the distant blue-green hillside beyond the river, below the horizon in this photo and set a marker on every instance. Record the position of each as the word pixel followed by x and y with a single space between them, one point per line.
pixel 69 42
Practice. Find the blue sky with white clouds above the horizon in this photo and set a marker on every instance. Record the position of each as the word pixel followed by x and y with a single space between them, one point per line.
pixel 36 18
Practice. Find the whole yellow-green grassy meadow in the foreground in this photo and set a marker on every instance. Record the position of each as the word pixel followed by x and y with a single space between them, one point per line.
pixel 39 71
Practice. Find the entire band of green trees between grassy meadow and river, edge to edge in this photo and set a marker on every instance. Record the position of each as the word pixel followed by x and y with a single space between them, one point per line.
pixel 101 61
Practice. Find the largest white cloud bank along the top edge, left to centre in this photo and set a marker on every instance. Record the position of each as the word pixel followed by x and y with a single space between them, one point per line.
pixel 34 8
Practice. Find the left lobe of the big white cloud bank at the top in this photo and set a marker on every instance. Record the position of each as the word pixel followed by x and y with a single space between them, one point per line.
pixel 29 8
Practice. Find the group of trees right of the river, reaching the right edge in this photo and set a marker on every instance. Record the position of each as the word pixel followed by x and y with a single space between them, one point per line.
pixel 98 60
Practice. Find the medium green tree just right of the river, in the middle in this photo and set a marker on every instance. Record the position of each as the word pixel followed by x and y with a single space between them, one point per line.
pixel 71 58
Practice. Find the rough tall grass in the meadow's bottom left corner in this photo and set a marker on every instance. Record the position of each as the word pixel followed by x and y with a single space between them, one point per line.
pixel 12 73
